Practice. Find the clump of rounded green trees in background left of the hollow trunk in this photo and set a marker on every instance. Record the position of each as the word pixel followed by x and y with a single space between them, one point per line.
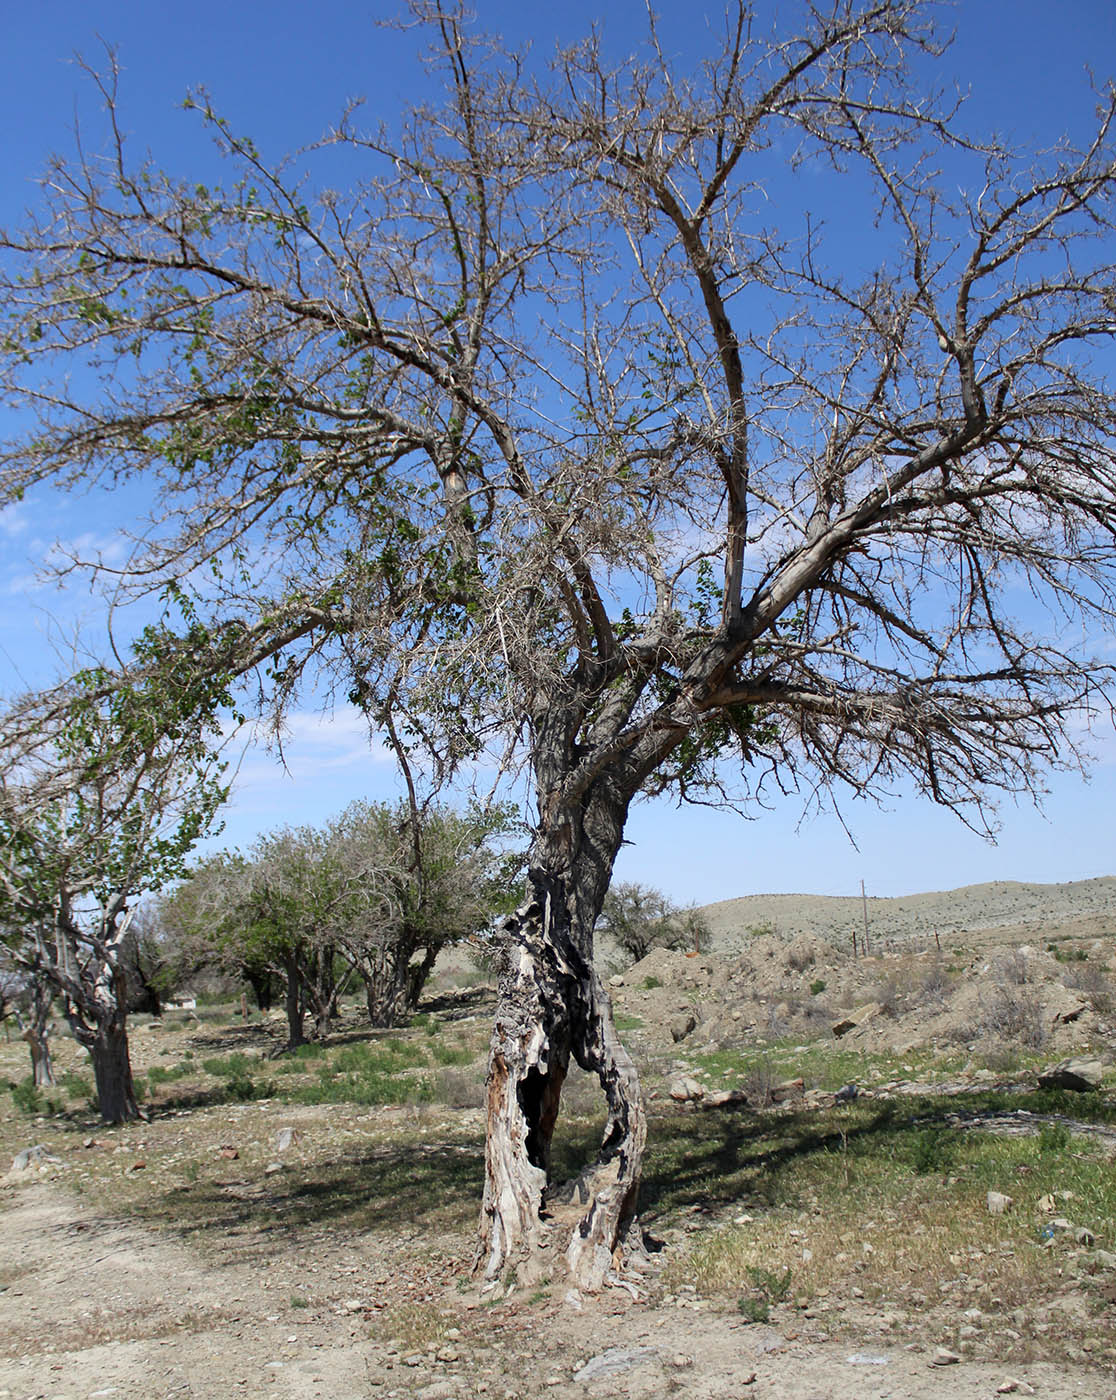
pixel 377 892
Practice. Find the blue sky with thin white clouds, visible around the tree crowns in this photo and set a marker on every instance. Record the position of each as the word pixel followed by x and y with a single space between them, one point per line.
pixel 284 72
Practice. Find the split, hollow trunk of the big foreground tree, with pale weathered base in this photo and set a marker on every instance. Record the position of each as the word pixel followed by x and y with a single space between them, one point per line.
pixel 554 1006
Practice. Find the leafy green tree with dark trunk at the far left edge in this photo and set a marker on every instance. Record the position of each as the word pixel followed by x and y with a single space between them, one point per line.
pixel 99 806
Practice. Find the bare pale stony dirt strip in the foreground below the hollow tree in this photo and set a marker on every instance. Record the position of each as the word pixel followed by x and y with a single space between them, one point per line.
pixel 99 1307
